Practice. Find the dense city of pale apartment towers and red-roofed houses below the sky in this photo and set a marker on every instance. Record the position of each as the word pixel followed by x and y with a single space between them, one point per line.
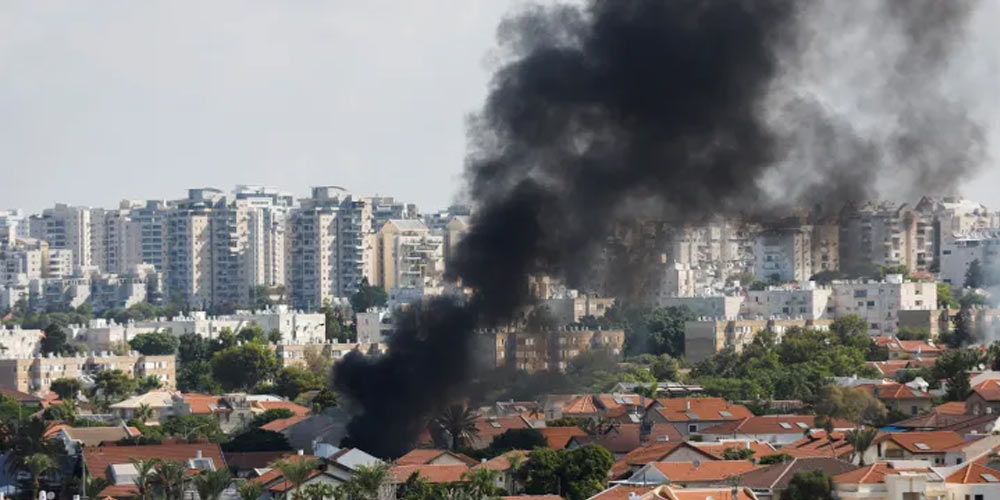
pixel 189 348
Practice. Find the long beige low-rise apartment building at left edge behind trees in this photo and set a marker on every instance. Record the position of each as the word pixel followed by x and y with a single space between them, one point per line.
pixel 37 373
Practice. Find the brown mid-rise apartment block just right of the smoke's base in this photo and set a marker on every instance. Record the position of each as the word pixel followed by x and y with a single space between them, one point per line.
pixel 541 351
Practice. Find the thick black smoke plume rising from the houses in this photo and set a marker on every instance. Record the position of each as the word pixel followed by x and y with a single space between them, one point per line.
pixel 600 114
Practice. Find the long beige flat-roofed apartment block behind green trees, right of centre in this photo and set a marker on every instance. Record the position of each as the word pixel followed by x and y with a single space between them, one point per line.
pixel 706 336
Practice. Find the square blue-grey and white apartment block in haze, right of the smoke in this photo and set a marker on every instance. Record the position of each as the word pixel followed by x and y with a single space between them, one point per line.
pixel 784 254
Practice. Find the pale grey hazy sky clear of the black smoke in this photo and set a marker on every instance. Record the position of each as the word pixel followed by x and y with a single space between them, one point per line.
pixel 106 100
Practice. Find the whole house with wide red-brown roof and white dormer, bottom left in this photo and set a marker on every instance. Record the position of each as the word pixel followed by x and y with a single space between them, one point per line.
pixel 114 463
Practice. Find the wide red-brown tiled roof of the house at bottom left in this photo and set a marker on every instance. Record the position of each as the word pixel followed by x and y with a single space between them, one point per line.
pixel 99 458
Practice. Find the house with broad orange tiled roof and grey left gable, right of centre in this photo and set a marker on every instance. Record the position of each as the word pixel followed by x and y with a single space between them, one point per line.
pixel 694 415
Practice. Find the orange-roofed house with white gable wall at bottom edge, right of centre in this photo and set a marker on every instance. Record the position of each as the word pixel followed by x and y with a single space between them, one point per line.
pixel 691 474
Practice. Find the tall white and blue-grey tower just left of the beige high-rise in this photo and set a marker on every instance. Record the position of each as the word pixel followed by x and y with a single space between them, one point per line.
pixel 331 247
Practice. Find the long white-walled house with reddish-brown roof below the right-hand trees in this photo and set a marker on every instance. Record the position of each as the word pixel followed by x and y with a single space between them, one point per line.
pixel 775 429
